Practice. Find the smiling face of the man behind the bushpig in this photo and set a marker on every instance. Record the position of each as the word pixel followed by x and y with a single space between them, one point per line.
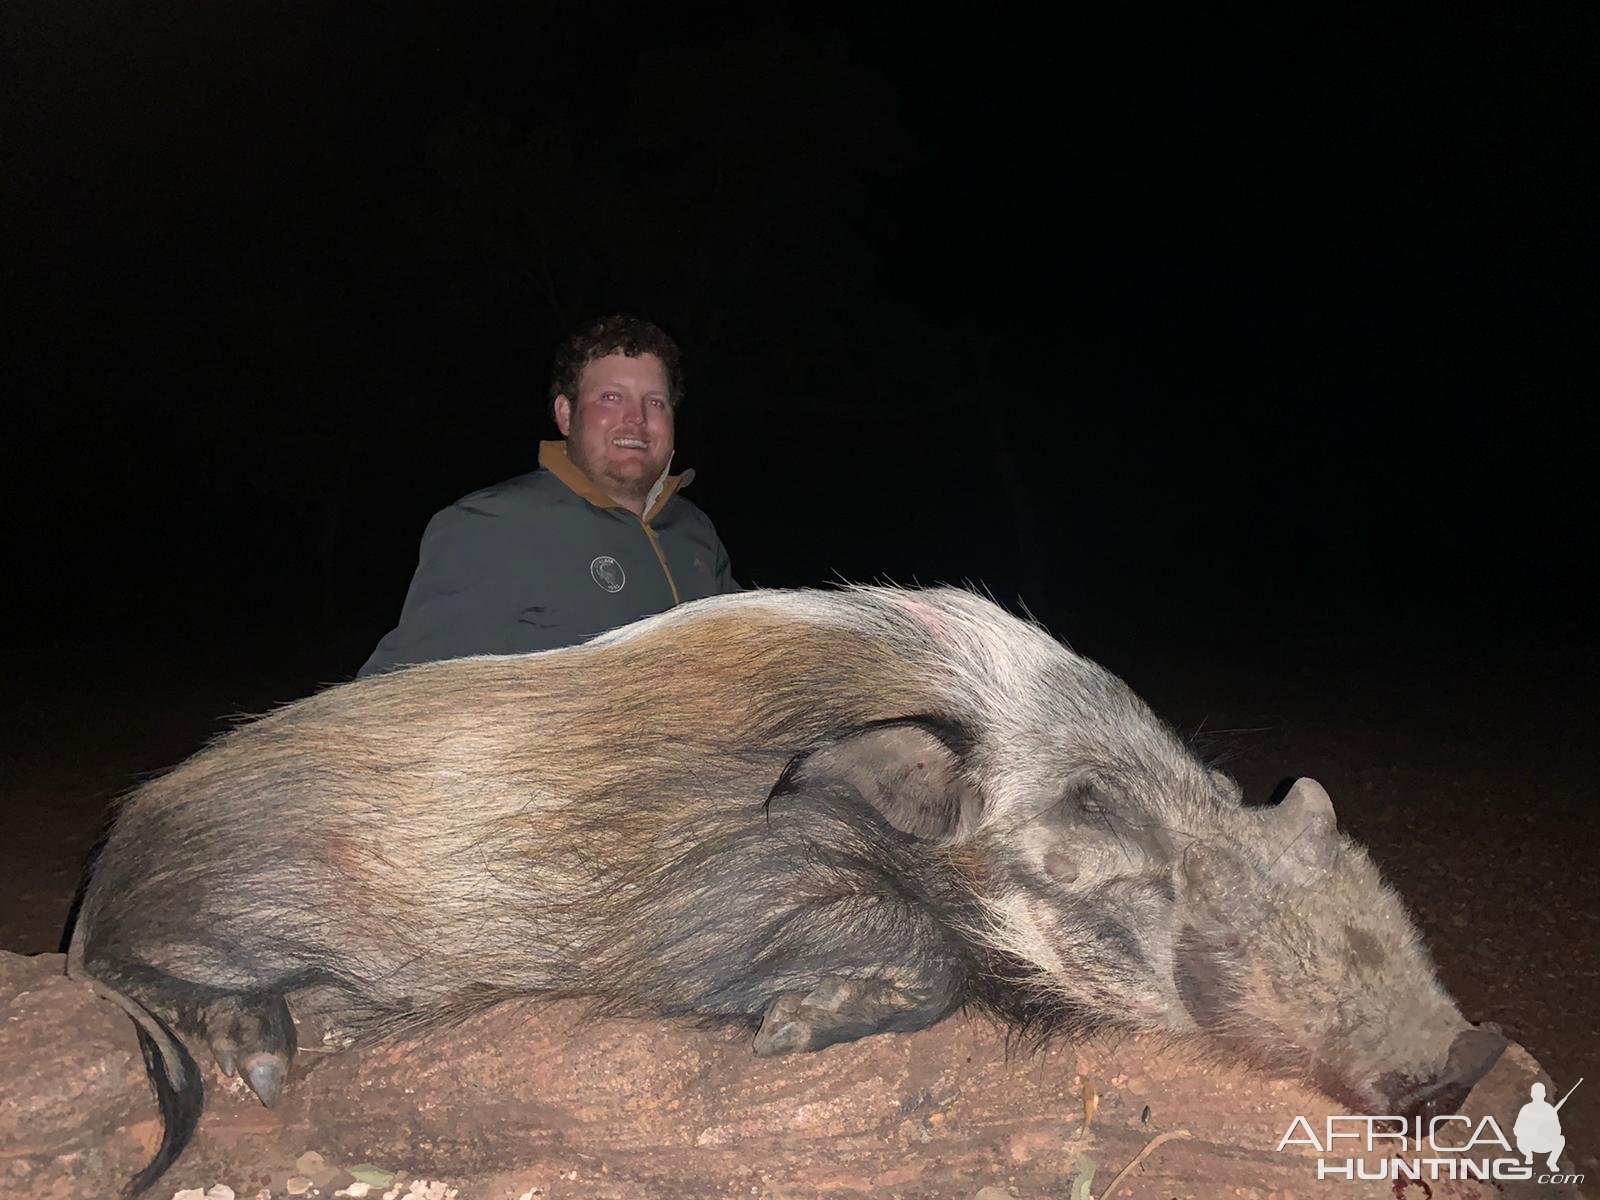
pixel 620 428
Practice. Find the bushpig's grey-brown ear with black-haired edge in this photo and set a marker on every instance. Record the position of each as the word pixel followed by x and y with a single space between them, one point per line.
pixel 910 770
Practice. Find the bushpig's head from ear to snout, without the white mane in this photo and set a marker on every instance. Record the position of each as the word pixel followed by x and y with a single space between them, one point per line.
pixel 1151 900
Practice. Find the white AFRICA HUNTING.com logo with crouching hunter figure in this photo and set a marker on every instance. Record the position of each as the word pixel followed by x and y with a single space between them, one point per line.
pixel 1441 1148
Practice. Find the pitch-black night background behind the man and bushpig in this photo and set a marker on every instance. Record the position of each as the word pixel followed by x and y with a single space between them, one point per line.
pixel 1255 356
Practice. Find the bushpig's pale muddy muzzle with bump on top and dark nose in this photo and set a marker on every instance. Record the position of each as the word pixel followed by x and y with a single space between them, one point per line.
pixel 1292 950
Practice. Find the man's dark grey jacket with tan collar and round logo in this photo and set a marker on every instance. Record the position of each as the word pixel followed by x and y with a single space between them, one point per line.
pixel 548 561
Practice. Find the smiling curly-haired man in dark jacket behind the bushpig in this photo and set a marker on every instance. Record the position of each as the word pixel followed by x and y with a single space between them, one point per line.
pixel 596 538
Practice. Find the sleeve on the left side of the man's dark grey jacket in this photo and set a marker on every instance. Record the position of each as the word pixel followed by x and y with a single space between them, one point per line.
pixel 450 610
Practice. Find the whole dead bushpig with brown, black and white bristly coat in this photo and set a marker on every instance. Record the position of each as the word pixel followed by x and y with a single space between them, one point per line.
pixel 817 815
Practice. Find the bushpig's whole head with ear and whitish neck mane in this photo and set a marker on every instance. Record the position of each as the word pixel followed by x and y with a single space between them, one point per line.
pixel 1122 884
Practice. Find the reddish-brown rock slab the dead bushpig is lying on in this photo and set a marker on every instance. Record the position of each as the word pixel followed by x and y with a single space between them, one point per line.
pixel 527 1098
